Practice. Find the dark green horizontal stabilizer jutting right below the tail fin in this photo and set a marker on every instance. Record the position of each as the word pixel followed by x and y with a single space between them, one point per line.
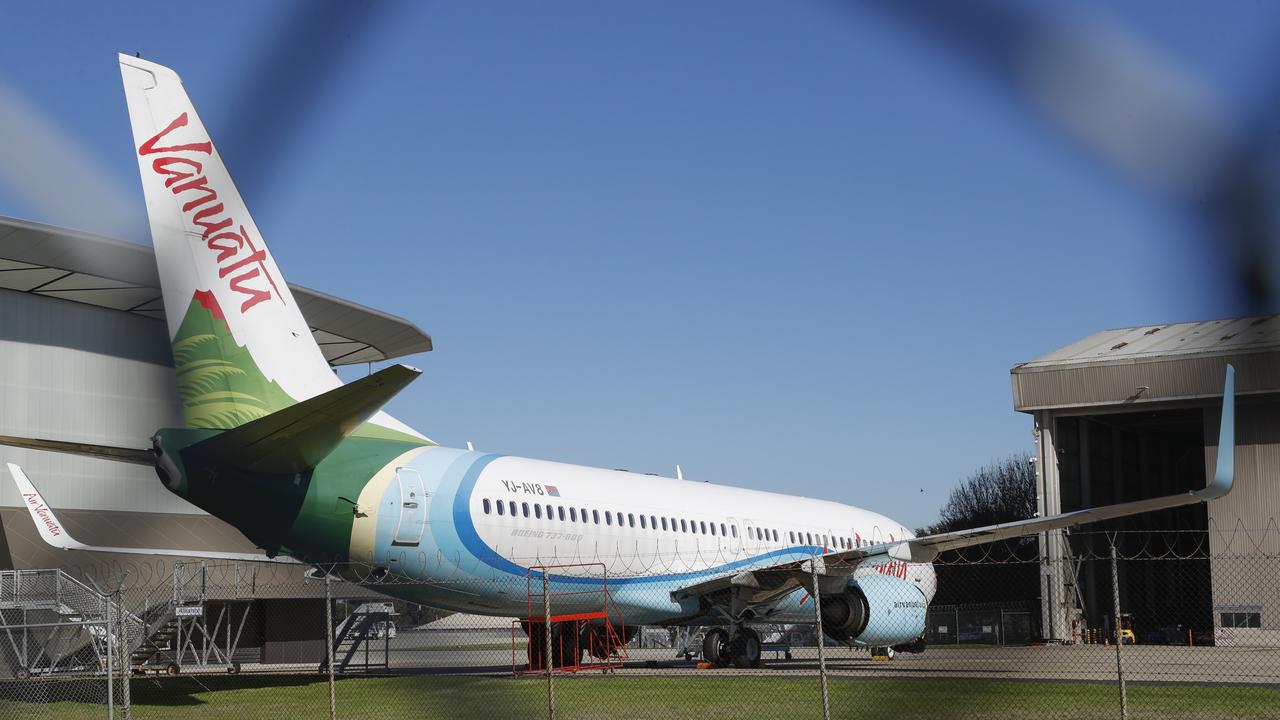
pixel 299 438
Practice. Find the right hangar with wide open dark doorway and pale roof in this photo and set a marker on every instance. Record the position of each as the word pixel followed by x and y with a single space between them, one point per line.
pixel 1133 413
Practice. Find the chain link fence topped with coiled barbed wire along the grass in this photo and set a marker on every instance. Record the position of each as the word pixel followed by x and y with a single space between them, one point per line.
pixel 1173 626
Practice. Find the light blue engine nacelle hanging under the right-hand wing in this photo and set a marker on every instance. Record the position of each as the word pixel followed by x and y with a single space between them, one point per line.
pixel 875 610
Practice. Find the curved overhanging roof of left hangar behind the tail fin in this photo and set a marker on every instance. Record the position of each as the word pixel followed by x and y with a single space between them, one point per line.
pixel 122 276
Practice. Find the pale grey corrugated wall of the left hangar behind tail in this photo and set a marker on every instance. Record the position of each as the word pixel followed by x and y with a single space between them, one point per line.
pixel 84 373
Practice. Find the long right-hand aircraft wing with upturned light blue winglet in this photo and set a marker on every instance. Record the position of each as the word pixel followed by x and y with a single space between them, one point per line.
pixel 766 585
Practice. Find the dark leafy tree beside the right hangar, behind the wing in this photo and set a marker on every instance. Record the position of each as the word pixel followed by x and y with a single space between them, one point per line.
pixel 1000 493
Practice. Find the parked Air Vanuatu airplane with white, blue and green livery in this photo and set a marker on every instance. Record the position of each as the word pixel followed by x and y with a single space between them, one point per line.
pixel 314 472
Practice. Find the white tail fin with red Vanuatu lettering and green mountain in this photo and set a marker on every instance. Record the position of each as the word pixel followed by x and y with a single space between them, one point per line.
pixel 241 348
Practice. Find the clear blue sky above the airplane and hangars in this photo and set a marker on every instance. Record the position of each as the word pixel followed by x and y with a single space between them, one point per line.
pixel 793 247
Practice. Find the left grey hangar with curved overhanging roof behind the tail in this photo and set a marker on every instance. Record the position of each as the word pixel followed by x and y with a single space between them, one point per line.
pixel 85 357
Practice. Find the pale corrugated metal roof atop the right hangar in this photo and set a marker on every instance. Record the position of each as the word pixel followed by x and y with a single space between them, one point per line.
pixel 1210 338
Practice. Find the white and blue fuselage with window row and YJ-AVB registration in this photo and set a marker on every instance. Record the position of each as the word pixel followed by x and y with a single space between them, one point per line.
pixel 488 520
